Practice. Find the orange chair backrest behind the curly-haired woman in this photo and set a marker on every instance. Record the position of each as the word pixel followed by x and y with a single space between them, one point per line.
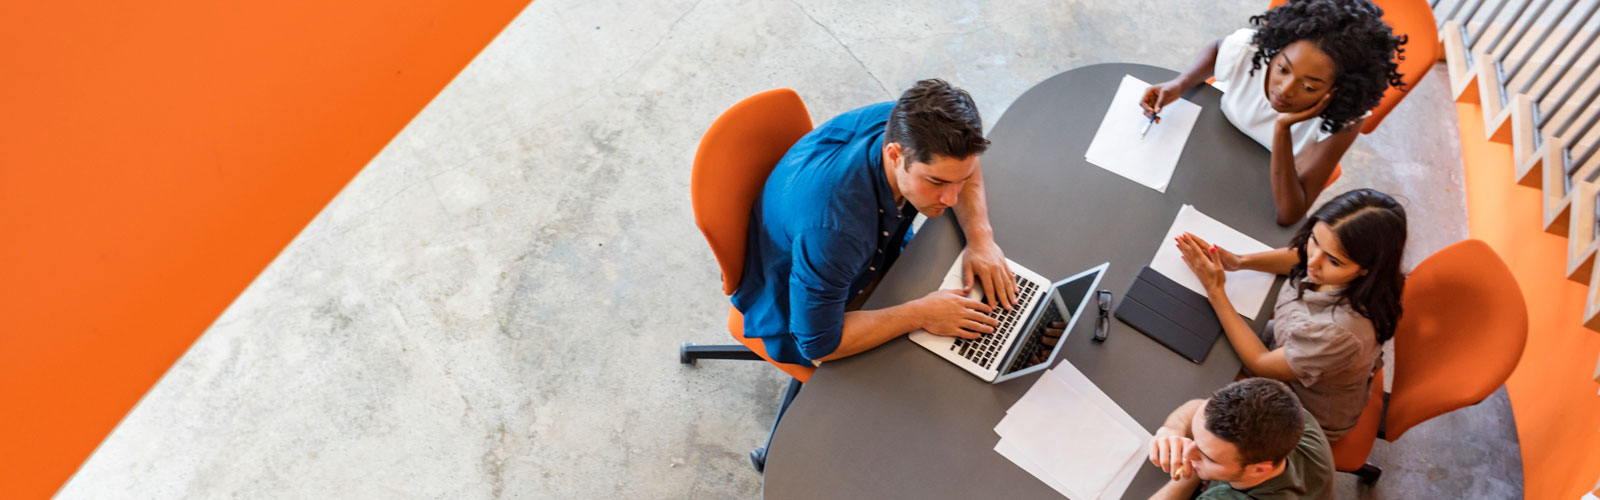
pixel 1414 20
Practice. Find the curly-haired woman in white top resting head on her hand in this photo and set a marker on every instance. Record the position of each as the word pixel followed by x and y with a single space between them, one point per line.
pixel 1316 70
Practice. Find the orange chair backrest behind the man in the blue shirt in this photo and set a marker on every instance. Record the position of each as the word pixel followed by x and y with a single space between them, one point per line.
pixel 732 164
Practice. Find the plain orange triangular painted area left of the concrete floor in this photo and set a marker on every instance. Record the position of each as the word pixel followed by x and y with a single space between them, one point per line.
pixel 154 158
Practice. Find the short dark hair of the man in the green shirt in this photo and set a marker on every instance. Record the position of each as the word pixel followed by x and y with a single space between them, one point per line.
pixel 1258 416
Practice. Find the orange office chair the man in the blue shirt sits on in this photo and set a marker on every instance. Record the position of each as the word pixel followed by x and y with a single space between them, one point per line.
pixel 735 158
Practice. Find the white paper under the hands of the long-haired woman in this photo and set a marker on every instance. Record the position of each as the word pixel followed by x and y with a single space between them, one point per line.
pixel 1246 289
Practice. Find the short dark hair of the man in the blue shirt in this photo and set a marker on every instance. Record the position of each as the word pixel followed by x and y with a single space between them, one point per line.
pixel 937 119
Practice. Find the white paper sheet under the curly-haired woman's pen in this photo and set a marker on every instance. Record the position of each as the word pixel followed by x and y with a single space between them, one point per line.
pixel 1148 159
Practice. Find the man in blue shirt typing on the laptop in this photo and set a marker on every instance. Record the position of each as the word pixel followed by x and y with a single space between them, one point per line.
pixel 838 211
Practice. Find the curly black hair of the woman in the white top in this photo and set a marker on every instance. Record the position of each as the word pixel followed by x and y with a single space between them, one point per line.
pixel 1354 34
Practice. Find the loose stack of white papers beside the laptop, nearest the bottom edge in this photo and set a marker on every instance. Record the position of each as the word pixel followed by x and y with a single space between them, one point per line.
pixel 1073 437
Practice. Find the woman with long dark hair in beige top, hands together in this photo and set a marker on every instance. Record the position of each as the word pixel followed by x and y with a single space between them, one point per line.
pixel 1342 302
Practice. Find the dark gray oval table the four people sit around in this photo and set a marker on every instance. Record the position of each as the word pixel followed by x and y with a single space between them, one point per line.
pixel 898 422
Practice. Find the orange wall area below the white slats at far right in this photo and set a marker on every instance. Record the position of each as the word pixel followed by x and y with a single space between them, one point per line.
pixel 1553 393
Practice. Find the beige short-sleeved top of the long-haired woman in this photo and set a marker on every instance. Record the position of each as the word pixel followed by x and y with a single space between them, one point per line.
pixel 1332 350
